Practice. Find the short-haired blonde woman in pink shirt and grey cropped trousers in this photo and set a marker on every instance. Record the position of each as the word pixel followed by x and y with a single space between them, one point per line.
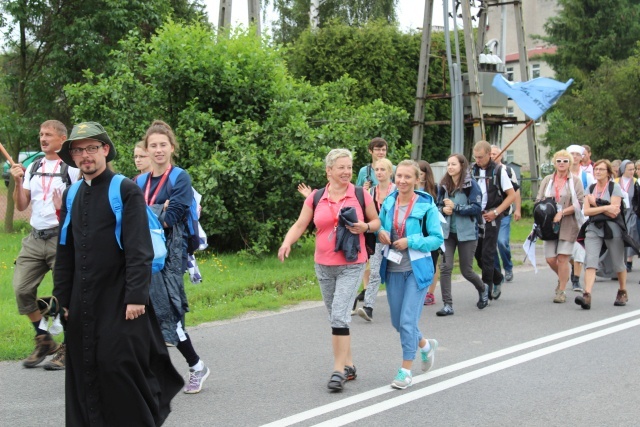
pixel 338 278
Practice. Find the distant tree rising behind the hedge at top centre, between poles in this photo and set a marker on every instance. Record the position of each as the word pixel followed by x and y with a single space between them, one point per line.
pixel 294 14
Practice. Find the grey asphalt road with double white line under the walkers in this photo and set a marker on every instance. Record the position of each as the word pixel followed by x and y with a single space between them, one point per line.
pixel 522 361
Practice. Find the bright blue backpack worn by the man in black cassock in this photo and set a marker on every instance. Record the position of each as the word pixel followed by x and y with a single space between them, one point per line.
pixel 115 200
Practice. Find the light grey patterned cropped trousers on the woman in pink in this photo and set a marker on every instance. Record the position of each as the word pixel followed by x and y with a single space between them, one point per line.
pixel 339 285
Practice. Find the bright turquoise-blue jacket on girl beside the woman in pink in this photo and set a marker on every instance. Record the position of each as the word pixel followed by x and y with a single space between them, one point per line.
pixel 420 247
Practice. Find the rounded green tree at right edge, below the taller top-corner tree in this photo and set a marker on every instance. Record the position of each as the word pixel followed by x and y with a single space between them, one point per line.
pixel 603 113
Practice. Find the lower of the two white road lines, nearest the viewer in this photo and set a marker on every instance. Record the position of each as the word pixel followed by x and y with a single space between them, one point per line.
pixel 470 376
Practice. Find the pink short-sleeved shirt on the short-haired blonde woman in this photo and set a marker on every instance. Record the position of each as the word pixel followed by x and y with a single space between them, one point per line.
pixel 324 220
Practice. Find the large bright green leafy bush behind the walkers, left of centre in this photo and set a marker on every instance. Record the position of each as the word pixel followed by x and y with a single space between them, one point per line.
pixel 248 132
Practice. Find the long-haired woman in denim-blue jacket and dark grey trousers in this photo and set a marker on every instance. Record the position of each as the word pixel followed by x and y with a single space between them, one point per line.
pixel 461 208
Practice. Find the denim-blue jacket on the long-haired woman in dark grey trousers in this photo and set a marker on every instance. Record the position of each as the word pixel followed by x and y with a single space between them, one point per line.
pixel 466 211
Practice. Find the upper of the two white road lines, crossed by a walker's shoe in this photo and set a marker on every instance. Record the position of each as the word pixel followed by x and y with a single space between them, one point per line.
pixel 334 406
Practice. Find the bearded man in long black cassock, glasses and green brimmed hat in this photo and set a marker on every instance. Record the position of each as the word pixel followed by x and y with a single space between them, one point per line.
pixel 118 369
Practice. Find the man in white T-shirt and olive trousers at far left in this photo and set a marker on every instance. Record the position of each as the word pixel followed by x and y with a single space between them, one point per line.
pixel 40 186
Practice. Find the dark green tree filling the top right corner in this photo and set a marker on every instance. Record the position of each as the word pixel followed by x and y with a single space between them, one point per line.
pixel 588 31
